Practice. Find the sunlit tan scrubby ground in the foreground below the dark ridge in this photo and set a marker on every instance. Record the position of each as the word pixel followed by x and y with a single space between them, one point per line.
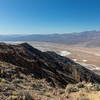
pixel 39 89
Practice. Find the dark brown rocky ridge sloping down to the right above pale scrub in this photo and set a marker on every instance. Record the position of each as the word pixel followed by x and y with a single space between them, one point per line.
pixel 56 69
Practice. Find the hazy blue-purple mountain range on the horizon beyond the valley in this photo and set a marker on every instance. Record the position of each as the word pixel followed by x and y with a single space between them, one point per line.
pixel 87 38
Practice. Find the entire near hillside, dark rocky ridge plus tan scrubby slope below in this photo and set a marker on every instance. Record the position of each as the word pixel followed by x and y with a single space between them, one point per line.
pixel 29 74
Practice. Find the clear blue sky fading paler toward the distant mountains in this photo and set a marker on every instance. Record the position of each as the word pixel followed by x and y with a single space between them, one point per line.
pixel 48 16
